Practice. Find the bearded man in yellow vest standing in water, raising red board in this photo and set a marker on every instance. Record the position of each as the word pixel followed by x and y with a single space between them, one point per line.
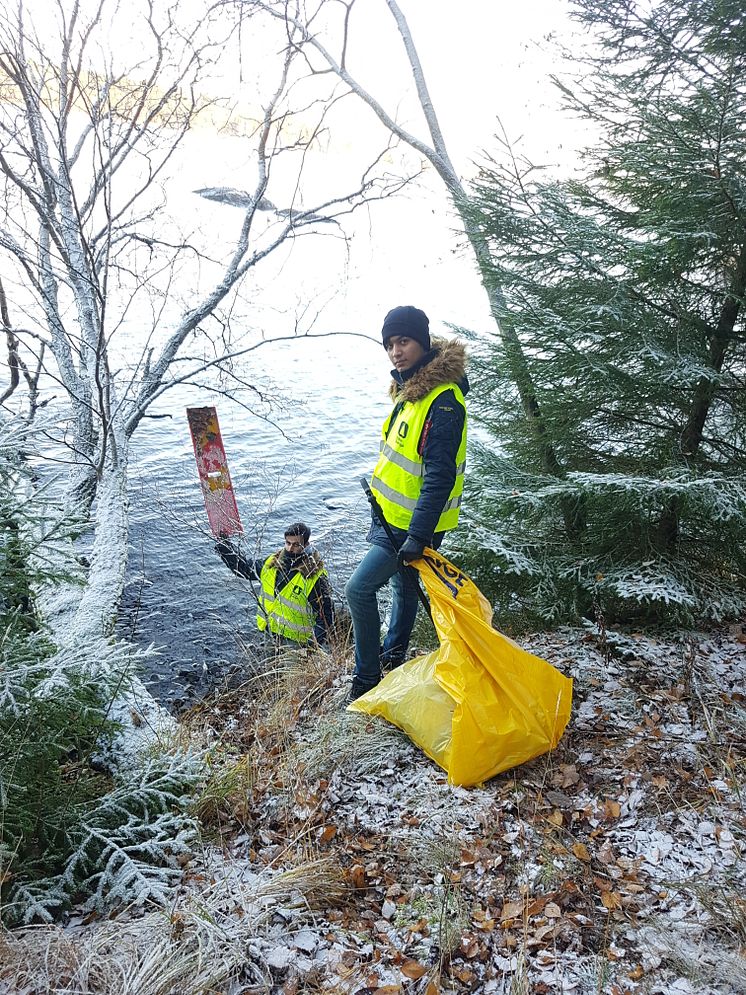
pixel 294 602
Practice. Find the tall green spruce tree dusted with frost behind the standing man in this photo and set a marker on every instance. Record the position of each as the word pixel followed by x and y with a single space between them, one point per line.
pixel 626 283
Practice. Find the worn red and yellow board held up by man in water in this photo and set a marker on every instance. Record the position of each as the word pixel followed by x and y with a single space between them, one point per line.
pixel 214 477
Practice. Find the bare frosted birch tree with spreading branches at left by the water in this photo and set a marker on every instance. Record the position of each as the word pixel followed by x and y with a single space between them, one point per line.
pixel 96 104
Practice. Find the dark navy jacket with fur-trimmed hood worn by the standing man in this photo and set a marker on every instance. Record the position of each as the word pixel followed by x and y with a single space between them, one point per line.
pixel 440 439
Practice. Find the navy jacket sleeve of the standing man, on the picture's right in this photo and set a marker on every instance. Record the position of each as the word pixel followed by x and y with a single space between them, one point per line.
pixel 440 441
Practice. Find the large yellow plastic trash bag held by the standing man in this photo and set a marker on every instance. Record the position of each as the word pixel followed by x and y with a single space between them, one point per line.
pixel 479 704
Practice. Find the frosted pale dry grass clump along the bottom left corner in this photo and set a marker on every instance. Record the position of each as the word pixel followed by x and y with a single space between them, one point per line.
pixel 208 939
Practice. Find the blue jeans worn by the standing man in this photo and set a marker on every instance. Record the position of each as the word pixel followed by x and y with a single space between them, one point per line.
pixel 378 566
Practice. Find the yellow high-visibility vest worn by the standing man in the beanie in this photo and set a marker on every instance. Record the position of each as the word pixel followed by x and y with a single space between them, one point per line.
pixel 399 473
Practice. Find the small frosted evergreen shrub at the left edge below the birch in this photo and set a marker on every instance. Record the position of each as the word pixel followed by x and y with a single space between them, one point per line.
pixel 71 829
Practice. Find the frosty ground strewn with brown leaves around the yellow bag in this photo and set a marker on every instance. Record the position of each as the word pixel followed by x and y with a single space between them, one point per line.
pixel 338 859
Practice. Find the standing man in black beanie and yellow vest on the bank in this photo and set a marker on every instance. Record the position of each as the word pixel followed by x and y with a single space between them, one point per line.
pixel 417 482
